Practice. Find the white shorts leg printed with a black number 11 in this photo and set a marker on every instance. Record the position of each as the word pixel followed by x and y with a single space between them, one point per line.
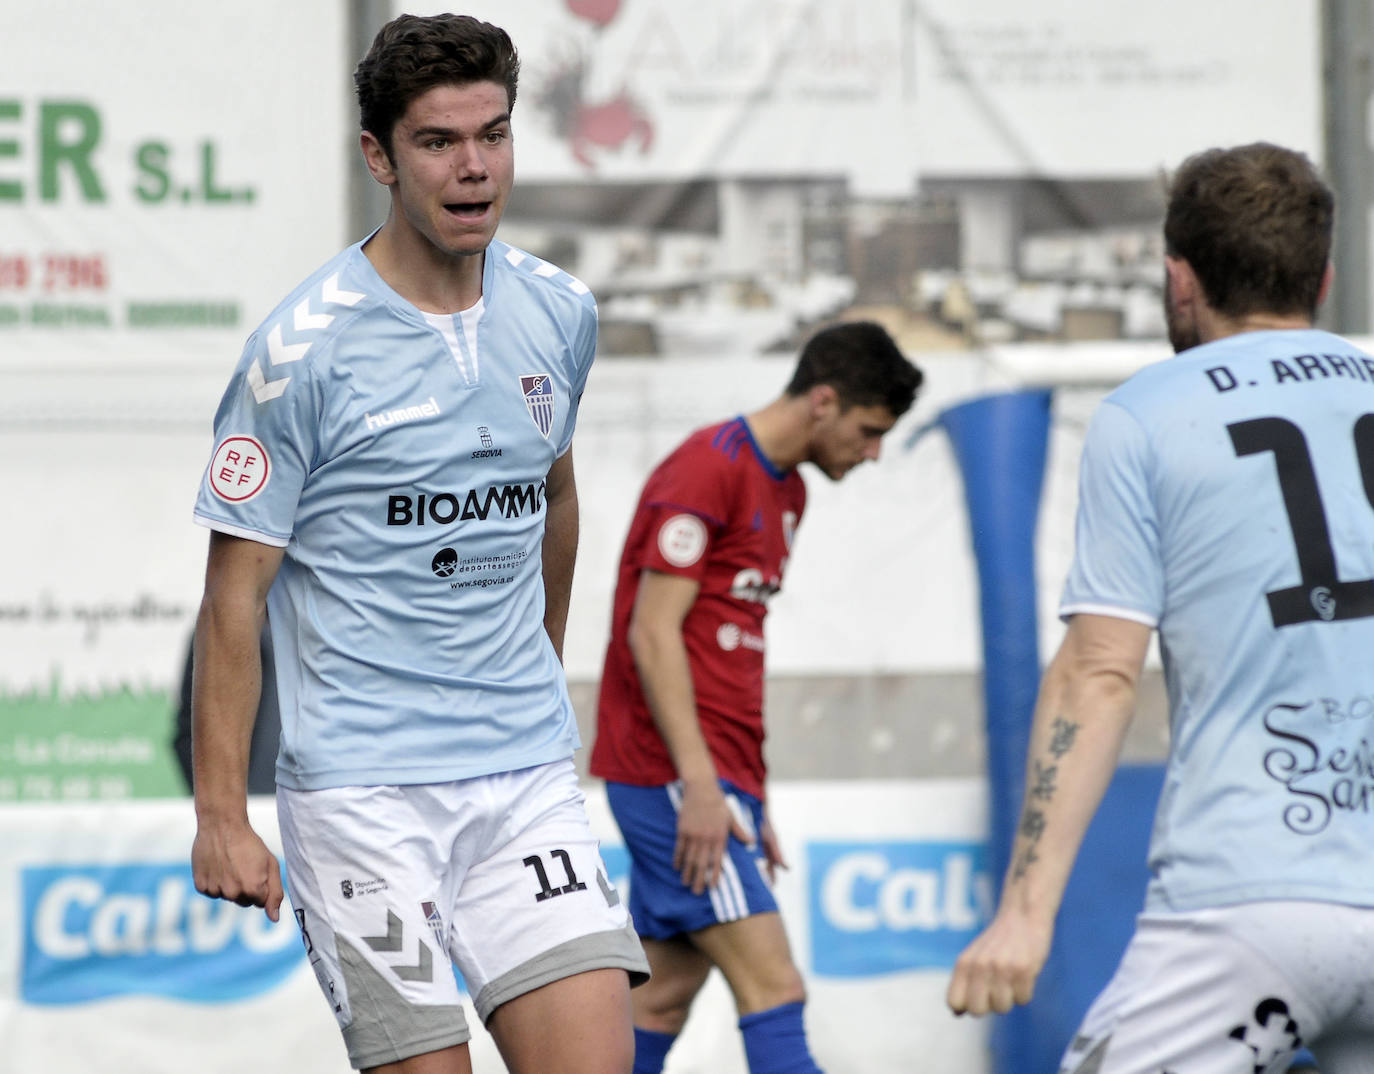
pixel 537 906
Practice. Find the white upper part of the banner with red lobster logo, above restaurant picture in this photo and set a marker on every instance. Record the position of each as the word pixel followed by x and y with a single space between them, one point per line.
pixel 880 91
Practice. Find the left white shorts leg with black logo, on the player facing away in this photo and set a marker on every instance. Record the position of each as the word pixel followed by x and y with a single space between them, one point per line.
pixel 1191 998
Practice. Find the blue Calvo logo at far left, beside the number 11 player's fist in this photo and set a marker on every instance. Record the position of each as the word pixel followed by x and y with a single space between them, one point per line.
pixel 98 932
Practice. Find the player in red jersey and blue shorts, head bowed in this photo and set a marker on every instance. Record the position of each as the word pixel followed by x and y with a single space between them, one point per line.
pixel 681 726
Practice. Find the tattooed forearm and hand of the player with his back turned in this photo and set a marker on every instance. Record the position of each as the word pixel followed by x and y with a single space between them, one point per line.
pixel 1086 704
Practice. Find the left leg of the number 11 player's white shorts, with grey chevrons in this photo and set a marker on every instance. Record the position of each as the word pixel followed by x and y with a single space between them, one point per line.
pixel 361 870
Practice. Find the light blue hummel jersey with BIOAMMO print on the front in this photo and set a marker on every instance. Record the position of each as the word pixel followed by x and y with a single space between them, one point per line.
pixel 401 461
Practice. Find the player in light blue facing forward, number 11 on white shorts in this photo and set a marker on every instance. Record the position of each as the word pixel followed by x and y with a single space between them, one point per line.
pixel 392 487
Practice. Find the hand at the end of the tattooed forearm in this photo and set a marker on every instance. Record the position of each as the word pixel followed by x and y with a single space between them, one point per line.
pixel 1000 969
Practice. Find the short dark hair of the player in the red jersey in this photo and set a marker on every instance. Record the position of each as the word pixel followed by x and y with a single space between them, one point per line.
pixel 862 363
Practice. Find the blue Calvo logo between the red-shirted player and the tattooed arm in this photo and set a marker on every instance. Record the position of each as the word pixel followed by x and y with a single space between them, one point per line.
pixel 891 907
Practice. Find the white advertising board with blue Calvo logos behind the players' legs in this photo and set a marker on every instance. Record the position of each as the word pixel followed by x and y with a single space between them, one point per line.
pixel 120 965
